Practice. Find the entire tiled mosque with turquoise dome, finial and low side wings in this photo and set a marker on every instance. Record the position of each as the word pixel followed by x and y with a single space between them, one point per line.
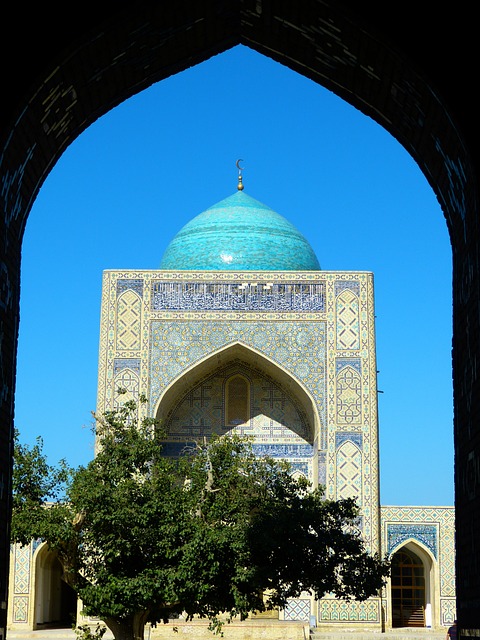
pixel 240 330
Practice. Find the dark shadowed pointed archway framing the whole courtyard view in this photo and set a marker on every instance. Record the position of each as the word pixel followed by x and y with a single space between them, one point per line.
pixel 409 72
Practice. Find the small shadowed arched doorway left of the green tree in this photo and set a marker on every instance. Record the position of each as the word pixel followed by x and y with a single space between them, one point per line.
pixel 55 602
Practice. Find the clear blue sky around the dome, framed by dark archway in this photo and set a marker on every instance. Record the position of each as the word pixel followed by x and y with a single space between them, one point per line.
pixel 123 189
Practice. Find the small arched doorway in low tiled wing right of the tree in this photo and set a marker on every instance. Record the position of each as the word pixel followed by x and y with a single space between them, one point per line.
pixel 411 588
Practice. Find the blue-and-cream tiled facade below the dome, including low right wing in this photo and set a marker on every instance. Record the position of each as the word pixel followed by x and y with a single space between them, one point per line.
pixel 305 342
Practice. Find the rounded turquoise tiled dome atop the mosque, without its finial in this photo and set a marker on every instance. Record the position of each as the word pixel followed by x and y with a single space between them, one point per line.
pixel 241 234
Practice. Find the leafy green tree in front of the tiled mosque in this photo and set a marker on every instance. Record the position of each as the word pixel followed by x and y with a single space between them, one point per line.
pixel 216 533
